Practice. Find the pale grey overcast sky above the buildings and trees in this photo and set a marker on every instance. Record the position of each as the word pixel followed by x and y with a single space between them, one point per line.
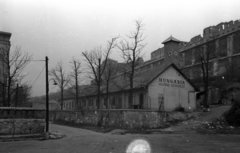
pixel 62 29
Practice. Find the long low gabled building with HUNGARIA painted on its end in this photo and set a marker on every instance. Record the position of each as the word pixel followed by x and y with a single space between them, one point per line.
pixel 161 88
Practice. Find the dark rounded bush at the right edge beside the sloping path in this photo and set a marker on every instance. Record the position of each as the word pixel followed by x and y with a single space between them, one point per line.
pixel 233 115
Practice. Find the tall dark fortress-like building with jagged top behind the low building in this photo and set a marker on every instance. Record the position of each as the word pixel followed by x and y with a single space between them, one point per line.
pixel 220 43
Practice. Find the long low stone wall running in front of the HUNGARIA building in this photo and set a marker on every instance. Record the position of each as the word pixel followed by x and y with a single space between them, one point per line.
pixel 118 118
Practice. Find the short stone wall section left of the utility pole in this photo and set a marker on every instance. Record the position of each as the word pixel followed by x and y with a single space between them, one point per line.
pixel 21 120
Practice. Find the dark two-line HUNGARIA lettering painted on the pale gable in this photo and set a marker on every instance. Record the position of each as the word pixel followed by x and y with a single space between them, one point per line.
pixel 171 82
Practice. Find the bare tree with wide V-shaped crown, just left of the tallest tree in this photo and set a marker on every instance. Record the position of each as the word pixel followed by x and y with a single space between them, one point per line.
pixel 94 60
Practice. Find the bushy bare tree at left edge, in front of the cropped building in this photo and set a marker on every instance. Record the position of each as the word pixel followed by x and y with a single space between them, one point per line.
pixel 12 63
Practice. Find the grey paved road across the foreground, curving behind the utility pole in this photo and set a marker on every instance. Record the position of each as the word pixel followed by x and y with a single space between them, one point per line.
pixel 84 141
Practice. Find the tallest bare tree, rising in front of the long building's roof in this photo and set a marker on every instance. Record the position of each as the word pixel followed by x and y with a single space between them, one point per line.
pixel 131 50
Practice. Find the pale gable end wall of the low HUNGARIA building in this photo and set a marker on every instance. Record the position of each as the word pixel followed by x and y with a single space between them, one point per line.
pixel 173 96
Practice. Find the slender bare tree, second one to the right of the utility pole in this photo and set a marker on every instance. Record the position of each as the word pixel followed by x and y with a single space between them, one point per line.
pixel 74 77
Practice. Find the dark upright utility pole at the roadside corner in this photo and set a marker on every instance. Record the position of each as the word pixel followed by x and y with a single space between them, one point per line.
pixel 47 96
